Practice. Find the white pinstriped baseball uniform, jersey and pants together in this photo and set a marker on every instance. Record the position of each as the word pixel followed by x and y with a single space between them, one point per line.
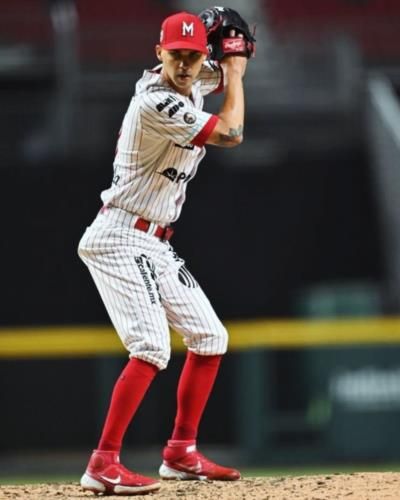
pixel 144 284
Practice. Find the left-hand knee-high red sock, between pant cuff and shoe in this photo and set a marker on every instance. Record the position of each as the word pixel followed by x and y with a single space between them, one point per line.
pixel 126 397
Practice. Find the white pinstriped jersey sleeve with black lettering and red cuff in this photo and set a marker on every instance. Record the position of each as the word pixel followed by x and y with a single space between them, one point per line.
pixel 167 115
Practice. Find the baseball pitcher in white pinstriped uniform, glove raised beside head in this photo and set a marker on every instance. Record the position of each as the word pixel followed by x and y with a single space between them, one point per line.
pixel 144 284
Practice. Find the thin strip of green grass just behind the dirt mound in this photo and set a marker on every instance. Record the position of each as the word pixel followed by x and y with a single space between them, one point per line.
pixel 249 472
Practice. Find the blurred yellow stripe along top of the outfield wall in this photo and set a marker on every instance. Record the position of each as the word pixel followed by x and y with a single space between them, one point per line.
pixel 73 341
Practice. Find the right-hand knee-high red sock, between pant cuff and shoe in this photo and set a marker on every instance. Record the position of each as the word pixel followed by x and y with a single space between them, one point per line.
pixel 195 384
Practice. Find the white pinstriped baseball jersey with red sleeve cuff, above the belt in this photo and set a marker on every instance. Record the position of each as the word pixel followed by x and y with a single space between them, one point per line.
pixel 160 146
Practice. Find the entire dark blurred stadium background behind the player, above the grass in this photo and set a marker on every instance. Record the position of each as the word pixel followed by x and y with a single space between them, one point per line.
pixel 295 236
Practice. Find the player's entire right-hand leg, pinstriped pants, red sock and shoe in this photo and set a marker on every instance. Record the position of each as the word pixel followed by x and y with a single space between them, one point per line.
pixel 190 313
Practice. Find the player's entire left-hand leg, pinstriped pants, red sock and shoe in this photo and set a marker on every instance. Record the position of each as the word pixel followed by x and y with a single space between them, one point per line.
pixel 120 263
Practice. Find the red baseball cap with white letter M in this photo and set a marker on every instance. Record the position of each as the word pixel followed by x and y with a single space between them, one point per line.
pixel 183 31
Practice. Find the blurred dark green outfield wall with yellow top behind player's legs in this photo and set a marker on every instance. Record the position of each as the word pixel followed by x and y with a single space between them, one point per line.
pixel 289 392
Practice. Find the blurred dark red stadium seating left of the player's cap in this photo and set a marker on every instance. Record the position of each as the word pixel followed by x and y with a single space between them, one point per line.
pixel 109 33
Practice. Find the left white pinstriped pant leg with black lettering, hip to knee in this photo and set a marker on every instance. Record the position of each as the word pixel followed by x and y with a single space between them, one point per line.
pixel 122 263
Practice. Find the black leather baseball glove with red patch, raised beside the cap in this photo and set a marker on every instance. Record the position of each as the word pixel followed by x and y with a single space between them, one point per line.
pixel 219 21
